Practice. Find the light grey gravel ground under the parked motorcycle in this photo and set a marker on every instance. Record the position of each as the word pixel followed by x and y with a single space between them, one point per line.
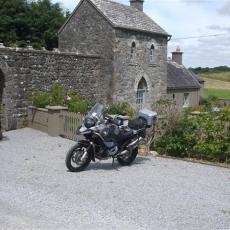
pixel 37 192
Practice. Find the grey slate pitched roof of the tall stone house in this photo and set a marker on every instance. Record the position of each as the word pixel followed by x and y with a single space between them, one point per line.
pixel 124 16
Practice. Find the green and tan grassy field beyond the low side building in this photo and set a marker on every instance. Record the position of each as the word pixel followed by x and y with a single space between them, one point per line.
pixel 217 84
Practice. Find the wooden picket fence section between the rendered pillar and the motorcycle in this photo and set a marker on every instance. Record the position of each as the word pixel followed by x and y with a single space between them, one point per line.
pixel 69 123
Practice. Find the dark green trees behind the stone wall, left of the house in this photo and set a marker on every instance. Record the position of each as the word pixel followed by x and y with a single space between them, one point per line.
pixel 30 23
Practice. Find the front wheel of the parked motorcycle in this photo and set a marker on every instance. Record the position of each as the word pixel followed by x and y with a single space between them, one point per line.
pixel 77 158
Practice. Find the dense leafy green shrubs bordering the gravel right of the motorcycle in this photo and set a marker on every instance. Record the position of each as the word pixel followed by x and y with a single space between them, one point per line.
pixel 206 136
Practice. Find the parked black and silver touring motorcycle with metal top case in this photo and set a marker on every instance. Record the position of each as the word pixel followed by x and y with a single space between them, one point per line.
pixel 107 137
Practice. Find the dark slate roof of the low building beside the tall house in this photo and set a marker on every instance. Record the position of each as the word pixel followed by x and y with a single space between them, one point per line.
pixel 179 77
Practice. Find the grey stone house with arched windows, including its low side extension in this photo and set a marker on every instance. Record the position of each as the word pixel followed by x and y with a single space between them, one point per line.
pixel 134 52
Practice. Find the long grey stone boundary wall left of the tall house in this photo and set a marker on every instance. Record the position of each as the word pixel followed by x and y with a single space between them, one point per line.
pixel 31 70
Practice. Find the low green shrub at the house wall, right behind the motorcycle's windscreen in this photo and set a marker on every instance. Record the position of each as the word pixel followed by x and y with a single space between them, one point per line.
pixel 120 108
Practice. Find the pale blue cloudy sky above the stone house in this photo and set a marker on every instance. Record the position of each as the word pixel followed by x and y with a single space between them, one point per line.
pixel 189 18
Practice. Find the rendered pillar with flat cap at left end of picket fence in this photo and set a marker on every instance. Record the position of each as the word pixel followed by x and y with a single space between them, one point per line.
pixel 54 120
